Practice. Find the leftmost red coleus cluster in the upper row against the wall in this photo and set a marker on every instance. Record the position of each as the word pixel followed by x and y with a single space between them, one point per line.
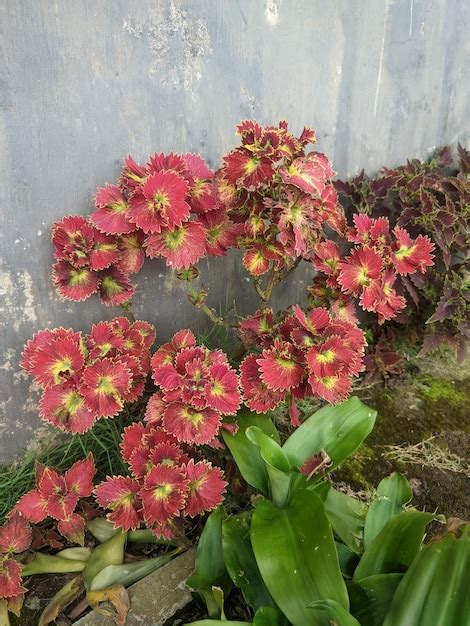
pixel 90 261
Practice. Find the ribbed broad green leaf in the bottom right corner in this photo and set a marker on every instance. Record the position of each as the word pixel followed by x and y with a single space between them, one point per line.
pixel 435 589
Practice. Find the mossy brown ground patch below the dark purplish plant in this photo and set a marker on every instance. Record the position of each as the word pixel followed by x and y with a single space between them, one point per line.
pixel 415 408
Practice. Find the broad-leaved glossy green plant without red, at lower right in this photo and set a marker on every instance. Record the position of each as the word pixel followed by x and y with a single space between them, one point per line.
pixel 307 554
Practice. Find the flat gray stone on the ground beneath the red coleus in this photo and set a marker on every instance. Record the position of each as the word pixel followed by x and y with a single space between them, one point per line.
pixel 155 598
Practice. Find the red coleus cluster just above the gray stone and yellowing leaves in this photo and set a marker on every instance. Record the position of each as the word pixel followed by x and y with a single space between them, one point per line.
pixel 166 484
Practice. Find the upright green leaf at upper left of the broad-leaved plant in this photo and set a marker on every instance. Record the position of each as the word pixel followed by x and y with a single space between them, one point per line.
pixel 246 454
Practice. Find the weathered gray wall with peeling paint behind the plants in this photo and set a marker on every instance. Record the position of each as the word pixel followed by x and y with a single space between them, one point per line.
pixel 84 82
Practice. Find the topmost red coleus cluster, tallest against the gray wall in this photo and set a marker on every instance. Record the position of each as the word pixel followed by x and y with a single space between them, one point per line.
pixel 280 195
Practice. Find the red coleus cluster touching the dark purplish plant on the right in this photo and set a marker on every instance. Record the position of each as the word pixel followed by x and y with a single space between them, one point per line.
pixel 370 270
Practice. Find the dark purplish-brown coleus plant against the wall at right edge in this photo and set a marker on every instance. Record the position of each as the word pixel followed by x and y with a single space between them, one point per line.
pixel 429 199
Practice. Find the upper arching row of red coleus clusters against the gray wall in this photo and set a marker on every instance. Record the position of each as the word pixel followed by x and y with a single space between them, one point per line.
pixel 271 198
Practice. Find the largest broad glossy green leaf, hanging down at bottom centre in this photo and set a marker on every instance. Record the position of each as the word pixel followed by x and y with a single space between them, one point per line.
pixel 296 555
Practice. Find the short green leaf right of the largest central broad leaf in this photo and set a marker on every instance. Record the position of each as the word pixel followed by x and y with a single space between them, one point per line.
pixel 346 515
